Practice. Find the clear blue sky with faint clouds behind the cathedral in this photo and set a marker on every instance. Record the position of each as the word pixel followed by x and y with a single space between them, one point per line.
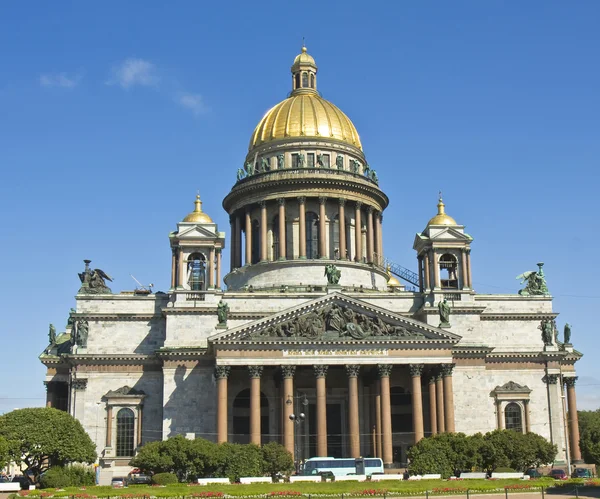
pixel 114 113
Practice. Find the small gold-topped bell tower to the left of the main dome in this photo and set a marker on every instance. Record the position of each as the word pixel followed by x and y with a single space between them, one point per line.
pixel 196 246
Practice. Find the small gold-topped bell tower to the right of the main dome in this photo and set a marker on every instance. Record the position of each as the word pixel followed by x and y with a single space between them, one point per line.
pixel 443 251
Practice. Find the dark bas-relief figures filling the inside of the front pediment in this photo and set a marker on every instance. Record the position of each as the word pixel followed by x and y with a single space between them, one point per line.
pixel 335 322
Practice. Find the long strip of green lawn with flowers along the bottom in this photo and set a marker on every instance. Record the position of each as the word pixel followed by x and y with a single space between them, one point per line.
pixel 391 488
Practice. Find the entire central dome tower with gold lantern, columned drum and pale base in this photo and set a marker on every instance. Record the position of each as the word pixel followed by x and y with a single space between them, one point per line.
pixel 305 197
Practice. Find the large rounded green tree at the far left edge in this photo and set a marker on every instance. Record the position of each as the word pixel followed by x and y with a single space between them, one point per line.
pixel 45 437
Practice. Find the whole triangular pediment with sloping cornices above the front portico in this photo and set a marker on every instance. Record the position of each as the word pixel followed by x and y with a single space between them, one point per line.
pixel 335 318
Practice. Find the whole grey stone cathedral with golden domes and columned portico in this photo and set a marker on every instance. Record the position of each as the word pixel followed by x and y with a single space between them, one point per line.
pixel 309 336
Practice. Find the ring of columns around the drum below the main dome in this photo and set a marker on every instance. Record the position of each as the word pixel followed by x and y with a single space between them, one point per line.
pixel 272 216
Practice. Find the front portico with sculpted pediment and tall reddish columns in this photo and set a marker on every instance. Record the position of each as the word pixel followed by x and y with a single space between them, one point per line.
pixel 349 364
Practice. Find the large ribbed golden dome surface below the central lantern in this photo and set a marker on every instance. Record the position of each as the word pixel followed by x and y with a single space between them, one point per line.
pixel 305 115
